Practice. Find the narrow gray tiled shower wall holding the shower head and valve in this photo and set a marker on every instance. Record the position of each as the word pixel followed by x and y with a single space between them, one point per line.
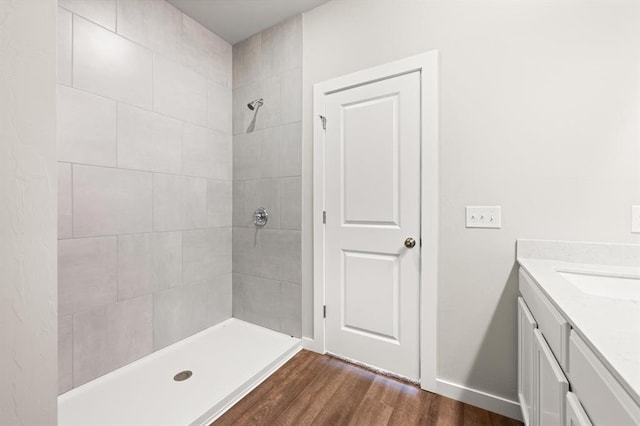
pixel 266 173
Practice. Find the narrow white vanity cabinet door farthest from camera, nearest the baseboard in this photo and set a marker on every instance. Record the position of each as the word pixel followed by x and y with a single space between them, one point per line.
pixel 526 325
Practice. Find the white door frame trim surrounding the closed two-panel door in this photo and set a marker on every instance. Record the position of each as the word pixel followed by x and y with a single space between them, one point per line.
pixel 427 65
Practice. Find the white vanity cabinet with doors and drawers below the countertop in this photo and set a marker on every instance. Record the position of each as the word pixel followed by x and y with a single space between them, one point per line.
pixel 561 381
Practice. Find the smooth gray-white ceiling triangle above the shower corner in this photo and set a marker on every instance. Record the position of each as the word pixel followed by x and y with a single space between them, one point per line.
pixel 236 20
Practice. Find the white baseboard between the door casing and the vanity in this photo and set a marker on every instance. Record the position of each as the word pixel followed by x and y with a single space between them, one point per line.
pixel 481 399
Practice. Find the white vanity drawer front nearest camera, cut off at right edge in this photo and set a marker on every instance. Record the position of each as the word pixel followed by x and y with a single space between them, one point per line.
pixel 603 398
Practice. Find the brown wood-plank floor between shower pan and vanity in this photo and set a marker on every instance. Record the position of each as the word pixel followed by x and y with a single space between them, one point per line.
pixel 313 389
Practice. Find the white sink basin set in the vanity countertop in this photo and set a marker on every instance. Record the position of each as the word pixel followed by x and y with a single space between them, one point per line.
pixel 603 285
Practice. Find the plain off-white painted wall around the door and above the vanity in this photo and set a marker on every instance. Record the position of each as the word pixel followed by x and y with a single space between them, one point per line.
pixel 539 113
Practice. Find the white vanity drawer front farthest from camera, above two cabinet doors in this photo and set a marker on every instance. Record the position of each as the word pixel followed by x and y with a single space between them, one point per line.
pixel 551 323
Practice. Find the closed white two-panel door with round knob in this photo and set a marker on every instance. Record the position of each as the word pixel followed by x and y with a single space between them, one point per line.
pixel 372 200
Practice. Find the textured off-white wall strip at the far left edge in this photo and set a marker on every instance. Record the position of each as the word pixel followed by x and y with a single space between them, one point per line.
pixel 27 212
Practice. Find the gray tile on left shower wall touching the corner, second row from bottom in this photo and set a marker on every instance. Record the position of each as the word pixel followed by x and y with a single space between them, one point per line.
pixel 206 254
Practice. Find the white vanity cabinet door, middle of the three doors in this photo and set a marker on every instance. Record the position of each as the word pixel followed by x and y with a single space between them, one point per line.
pixel 550 385
